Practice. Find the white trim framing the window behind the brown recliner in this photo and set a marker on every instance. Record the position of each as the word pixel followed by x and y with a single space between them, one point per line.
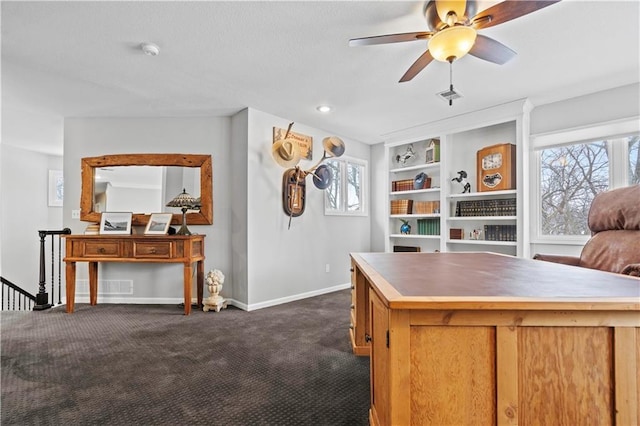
pixel 608 131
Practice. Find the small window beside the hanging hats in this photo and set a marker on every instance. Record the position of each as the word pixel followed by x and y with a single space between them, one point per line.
pixel 346 194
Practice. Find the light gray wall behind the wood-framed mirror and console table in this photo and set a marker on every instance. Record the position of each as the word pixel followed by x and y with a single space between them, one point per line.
pixel 87 137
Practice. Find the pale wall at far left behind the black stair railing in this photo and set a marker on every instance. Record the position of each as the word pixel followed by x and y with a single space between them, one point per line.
pixel 24 211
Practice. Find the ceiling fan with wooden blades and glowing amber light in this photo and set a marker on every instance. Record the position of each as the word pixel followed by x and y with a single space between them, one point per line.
pixel 453 26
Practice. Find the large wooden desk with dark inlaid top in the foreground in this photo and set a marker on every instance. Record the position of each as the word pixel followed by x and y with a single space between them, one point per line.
pixel 479 338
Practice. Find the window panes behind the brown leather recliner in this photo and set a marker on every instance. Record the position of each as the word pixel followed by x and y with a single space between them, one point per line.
pixel 571 175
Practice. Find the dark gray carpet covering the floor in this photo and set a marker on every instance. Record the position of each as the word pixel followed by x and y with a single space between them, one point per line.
pixel 150 365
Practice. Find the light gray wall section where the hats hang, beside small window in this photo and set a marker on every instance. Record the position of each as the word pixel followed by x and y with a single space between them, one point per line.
pixel 282 263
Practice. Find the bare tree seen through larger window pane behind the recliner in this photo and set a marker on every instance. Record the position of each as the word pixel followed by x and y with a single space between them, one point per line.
pixel 571 176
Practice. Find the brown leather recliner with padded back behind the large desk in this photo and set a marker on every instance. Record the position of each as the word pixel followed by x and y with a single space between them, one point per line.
pixel 614 246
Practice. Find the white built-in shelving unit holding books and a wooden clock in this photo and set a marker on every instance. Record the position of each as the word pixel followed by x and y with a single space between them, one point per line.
pixel 459 140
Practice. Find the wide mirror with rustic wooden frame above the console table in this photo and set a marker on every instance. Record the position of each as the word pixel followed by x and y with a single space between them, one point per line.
pixel 123 182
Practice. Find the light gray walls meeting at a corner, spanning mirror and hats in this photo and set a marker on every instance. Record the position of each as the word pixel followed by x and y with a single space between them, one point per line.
pixel 264 262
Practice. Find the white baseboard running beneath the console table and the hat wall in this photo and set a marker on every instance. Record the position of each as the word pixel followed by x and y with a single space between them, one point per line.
pixel 102 299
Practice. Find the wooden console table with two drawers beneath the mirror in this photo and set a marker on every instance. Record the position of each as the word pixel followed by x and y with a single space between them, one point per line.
pixel 185 249
